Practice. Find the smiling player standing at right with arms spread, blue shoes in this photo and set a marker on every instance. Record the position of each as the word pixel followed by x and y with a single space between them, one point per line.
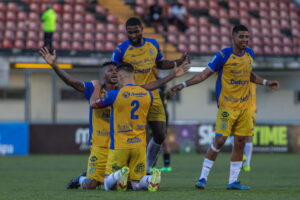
pixel 234 117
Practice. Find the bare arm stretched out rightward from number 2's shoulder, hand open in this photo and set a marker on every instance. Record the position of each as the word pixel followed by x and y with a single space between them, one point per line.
pixel 177 72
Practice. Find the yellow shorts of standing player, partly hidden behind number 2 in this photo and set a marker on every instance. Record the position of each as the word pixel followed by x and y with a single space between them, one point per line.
pixel 157 111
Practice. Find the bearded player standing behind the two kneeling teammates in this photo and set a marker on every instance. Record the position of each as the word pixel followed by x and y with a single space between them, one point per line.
pixel 144 54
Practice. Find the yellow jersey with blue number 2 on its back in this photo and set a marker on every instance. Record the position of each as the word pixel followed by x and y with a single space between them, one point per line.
pixel 128 119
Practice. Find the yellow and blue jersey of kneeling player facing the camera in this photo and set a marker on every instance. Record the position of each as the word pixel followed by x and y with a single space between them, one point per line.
pixel 98 118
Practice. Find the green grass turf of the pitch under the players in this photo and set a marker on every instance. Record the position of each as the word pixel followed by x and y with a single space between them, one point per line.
pixel 273 176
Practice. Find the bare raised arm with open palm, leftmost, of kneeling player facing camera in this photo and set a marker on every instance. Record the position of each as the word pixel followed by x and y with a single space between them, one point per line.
pixel 69 80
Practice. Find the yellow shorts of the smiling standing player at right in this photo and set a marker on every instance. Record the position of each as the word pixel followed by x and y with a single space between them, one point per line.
pixel 234 122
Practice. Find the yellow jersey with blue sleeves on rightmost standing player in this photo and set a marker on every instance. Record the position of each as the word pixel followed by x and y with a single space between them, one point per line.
pixel 233 82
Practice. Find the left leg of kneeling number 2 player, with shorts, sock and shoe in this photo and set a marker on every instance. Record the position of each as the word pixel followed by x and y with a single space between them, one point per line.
pixel 116 173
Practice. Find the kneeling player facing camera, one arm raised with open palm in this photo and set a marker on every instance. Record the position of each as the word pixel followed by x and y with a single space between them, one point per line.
pixel 98 118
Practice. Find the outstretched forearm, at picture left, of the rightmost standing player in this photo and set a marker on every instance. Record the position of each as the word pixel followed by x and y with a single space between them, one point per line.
pixel 198 78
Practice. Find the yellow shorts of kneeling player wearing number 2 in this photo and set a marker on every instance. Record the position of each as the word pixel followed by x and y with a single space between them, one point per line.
pixel 135 159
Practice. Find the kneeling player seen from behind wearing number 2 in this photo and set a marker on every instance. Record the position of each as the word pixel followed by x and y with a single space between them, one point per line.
pixel 127 155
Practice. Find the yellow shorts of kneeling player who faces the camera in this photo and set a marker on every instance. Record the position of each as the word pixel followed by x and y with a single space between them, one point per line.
pixel 97 163
